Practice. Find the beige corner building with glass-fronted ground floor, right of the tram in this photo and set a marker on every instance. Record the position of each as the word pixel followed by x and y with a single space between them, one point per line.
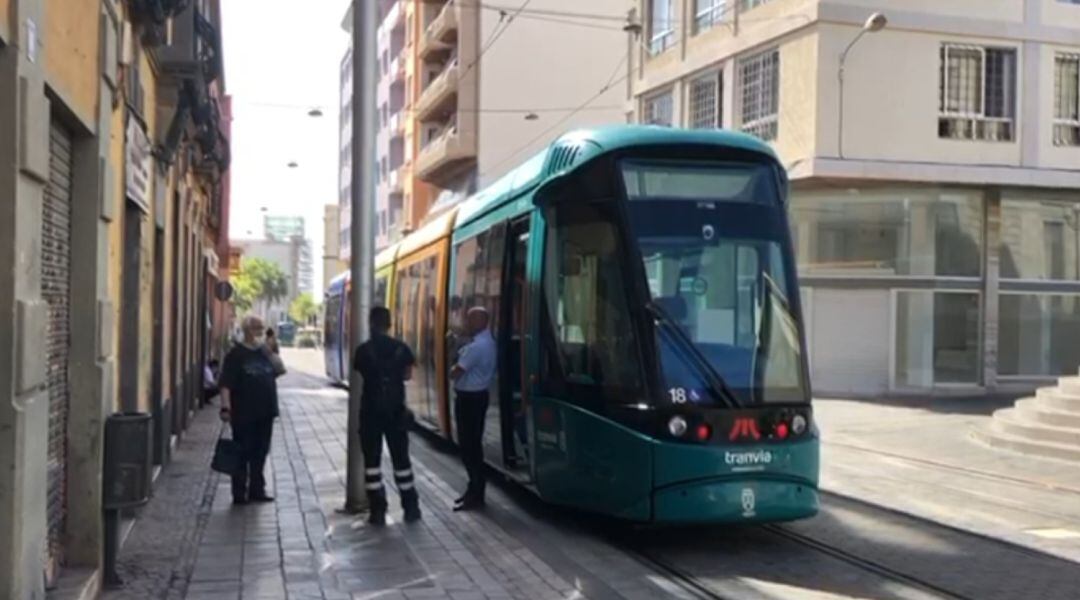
pixel 935 157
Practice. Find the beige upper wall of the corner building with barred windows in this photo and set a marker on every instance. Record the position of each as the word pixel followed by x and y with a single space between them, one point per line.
pixel 892 89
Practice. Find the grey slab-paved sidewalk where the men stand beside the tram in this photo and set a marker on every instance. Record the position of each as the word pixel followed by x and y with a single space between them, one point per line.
pixel 300 548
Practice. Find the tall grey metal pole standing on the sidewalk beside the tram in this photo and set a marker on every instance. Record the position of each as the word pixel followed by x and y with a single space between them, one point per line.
pixel 364 32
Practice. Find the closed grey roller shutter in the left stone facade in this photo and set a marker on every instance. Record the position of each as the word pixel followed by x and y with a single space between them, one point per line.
pixel 56 291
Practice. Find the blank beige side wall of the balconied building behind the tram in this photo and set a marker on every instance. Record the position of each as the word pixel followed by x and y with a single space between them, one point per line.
pixel 546 65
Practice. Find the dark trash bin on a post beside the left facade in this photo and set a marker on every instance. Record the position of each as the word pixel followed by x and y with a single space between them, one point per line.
pixel 129 460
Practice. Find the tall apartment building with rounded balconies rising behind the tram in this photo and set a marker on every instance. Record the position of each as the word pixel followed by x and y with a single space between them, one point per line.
pixel 467 91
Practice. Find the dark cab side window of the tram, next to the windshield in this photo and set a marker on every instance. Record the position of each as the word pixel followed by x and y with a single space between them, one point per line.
pixel 587 303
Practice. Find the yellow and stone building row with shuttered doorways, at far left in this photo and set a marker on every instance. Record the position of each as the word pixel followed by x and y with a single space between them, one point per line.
pixel 113 170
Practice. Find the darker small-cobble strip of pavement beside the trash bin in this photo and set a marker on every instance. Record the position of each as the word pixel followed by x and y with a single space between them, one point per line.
pixel 159 555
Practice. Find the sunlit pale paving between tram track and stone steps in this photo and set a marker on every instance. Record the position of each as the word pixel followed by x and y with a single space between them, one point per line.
pixel 920 458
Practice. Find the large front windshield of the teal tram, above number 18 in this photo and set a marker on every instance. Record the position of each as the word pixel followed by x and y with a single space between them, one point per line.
pixel 713 239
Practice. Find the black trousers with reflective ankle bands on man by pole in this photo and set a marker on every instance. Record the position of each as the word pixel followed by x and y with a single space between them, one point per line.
pixel 374 429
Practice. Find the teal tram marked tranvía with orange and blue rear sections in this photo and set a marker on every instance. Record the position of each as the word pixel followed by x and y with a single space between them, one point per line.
pixel 646 307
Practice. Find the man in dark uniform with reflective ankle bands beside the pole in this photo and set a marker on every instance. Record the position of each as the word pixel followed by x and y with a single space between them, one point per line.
pixel 386 364
